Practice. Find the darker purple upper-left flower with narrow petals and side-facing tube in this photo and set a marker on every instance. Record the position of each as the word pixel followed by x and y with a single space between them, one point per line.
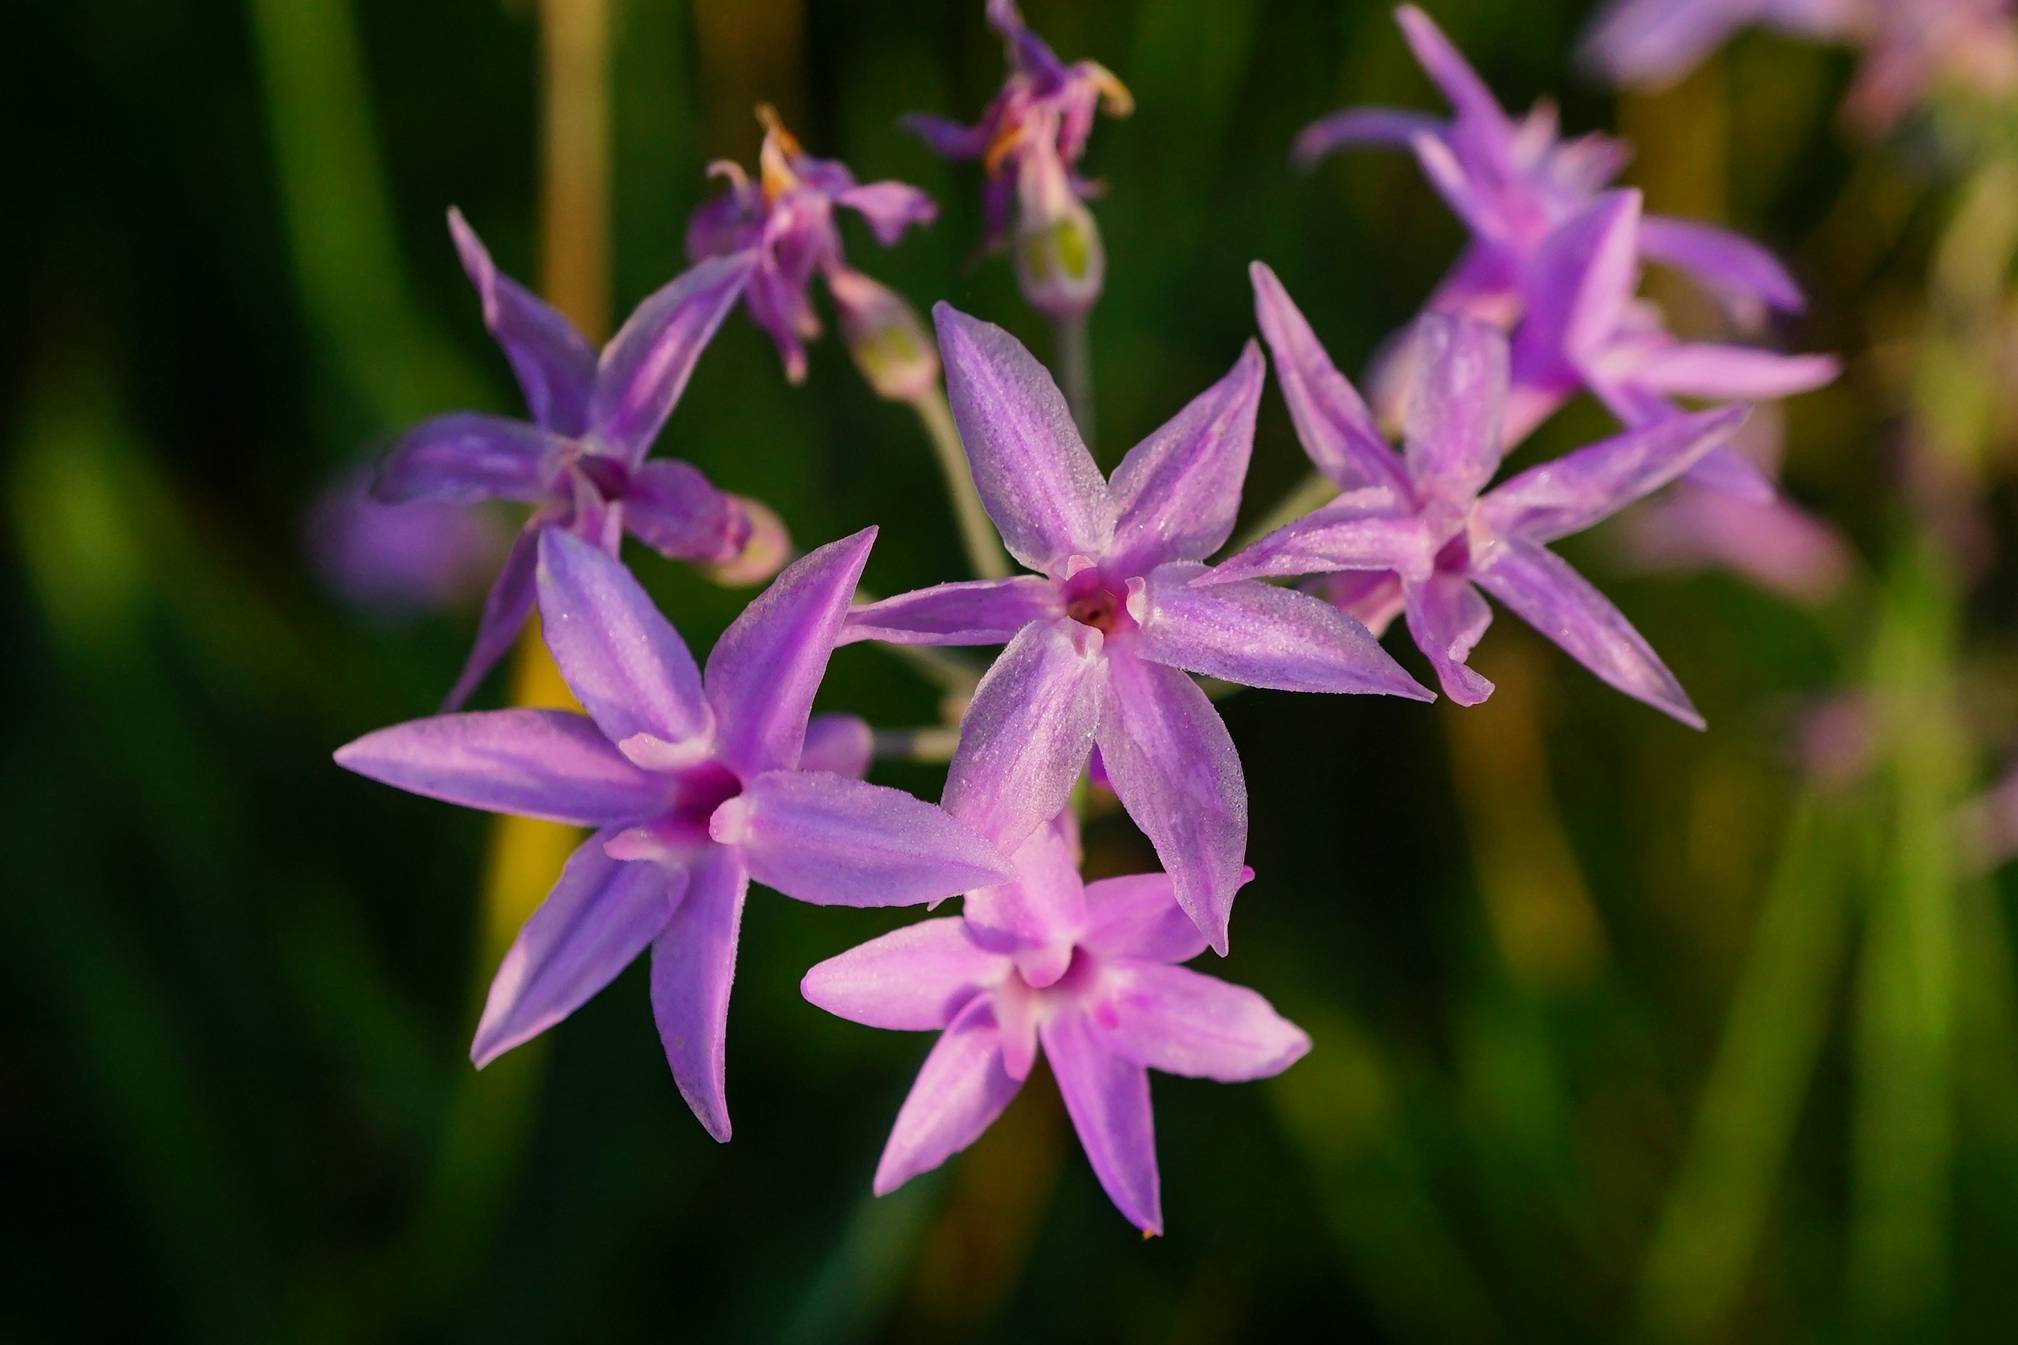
pixel 582 459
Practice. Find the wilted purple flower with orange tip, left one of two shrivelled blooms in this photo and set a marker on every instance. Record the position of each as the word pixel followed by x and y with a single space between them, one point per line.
pixel 786 217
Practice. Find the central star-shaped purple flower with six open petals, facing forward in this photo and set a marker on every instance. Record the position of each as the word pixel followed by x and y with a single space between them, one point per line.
pixel 1103 638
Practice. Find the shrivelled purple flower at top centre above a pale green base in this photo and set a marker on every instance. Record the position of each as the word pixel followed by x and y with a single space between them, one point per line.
pixel 1030 142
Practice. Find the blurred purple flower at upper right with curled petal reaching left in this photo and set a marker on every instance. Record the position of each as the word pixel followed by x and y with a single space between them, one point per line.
pixel 1517 182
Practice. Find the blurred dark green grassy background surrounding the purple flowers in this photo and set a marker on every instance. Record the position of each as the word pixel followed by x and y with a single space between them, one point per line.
pixel 1621 1031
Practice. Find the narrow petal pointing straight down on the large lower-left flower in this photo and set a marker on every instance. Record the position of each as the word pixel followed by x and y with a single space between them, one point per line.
pixel 693 969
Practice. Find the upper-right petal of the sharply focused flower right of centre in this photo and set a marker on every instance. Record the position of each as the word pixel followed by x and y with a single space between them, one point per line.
pixel 1577 491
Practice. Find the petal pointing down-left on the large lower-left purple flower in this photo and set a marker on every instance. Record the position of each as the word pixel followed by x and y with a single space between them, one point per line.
pixel 596 921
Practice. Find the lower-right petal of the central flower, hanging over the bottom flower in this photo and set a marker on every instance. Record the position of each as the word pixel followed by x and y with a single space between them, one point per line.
pixel 1180 777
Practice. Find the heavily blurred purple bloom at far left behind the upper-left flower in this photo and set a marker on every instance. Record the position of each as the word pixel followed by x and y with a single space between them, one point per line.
pixel 401 558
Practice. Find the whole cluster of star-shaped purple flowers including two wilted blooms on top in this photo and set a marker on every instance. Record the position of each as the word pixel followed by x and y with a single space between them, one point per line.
pixel 699 781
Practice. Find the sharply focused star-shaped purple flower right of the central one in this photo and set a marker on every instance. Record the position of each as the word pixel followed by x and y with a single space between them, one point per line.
pixel 1416 535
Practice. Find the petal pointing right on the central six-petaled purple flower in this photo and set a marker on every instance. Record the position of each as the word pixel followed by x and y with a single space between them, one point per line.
pixel 1262 636
